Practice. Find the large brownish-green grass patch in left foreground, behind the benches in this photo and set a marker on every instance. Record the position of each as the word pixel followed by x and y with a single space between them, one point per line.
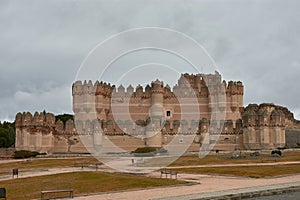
pixel 81 182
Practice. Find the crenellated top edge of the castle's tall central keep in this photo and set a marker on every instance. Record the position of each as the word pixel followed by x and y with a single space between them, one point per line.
pixel 202 85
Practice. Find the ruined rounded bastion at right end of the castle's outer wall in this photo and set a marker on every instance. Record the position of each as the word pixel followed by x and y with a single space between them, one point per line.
pixel 264 126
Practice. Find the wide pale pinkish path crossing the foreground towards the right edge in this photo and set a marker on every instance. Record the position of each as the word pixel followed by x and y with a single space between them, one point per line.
pixel 207 183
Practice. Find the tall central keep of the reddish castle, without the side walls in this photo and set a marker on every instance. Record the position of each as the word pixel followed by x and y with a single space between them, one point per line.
pixel 187 109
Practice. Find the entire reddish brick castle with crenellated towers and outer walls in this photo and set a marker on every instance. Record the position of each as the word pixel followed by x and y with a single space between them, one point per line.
pixel 156 116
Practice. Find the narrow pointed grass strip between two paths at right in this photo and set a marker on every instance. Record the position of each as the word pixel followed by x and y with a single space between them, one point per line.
pixel 249 171
